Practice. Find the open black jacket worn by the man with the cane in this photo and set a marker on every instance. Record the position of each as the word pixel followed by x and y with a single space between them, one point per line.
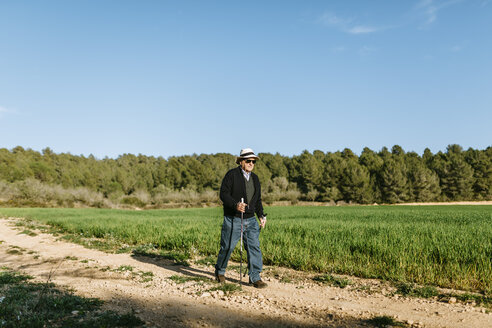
pixel 233 188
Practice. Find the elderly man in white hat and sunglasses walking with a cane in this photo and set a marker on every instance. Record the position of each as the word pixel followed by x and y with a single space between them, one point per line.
pixel 242 183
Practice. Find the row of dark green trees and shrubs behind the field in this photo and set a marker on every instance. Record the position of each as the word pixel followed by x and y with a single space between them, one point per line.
pixel 385 176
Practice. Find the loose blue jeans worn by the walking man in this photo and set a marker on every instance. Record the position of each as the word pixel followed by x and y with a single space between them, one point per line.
pixel 231 233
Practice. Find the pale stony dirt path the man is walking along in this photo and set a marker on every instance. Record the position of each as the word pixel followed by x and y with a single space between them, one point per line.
pixel 163 303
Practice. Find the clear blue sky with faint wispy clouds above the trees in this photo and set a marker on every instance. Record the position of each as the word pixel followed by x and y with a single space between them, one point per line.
pixel 168 78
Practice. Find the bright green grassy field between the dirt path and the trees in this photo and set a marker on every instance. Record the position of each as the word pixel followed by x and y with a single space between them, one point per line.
pixel 447 246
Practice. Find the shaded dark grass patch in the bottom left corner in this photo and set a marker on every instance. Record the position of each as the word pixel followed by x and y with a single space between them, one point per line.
pixel 33 305
